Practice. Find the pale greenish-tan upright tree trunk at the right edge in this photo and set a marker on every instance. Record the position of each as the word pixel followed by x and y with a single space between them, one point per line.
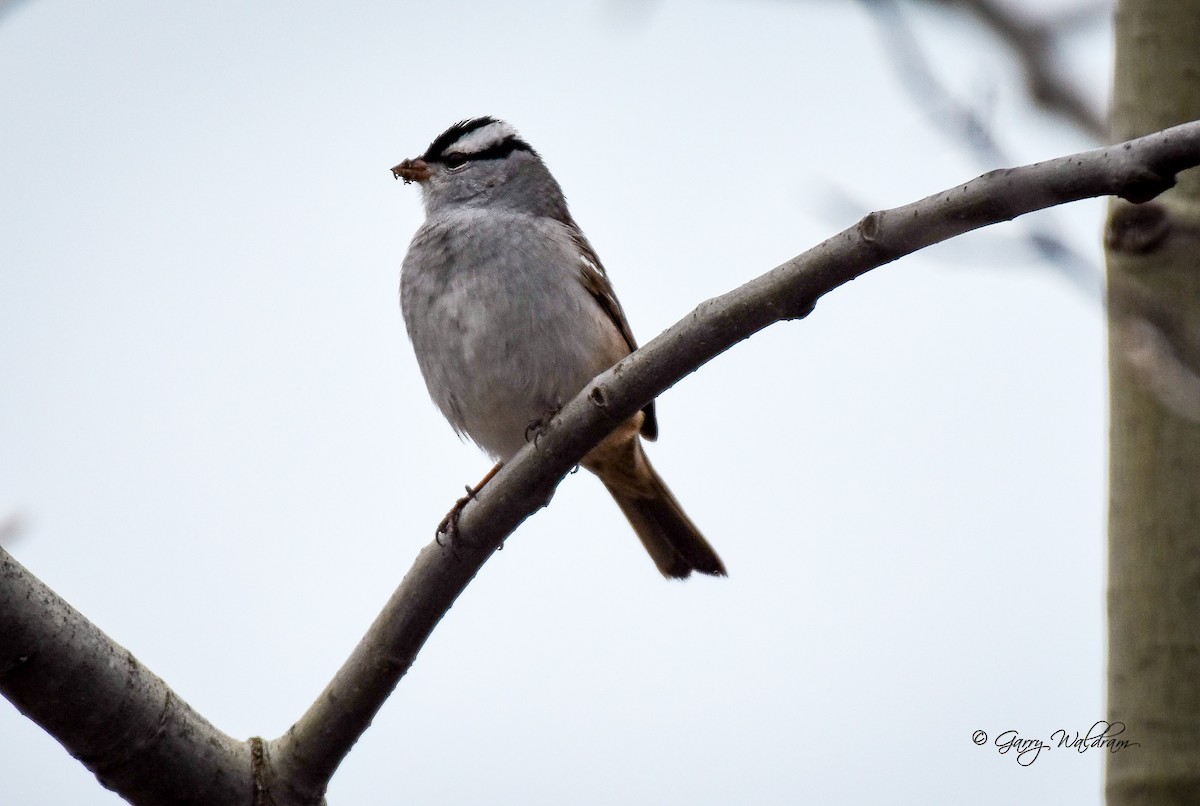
pixel 1155 478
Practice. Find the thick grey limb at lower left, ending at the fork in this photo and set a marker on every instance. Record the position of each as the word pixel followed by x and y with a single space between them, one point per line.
pixel 107 709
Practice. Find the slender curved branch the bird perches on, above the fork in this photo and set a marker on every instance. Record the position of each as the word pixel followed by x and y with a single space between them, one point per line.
pixel 311 750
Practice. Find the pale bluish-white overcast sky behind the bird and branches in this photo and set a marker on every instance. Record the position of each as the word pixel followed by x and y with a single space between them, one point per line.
pixel 214 429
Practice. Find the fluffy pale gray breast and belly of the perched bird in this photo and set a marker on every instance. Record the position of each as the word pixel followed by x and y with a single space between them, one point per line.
pixel 503 329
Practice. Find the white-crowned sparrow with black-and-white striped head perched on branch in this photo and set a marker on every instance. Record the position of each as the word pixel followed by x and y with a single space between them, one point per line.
pixel 512 314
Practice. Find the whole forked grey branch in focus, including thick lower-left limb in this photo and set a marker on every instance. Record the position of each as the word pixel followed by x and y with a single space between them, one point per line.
pixel 112 713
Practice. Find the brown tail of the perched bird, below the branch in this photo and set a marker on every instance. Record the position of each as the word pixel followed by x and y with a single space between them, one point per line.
pixel 673 540
